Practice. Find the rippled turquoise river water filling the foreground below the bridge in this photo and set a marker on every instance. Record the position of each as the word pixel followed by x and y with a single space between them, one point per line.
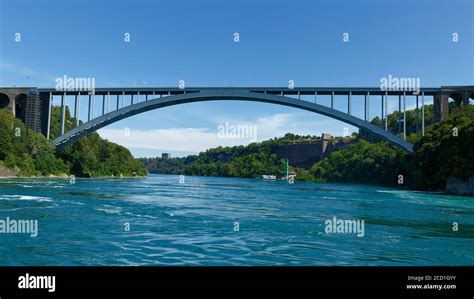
pixel 195 223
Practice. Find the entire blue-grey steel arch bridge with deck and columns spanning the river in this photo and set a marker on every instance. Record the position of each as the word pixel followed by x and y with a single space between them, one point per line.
pixel 114 106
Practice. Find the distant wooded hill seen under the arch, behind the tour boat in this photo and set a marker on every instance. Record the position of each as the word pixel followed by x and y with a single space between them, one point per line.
pixel 253 160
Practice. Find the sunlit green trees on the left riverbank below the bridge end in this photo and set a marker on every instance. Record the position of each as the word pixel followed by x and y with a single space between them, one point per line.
pixel 28 153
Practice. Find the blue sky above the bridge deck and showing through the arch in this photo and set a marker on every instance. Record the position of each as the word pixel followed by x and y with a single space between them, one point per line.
pixel 194 41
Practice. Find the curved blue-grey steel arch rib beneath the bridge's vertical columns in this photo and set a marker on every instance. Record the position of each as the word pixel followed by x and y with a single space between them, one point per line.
pixel 225 94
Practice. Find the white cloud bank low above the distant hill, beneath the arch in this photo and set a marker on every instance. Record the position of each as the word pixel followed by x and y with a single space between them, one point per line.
pixel 199 139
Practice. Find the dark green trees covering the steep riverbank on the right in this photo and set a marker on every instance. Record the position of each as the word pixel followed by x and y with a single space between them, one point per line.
pixel 439 155
